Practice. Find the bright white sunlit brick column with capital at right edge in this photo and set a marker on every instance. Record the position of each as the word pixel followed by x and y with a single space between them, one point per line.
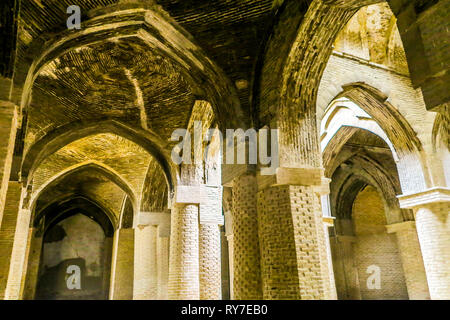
pixel 431 210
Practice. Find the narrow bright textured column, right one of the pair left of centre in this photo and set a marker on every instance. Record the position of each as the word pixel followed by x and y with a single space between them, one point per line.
pixel 210 267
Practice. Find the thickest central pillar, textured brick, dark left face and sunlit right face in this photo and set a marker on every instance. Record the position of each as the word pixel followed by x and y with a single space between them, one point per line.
pixel 294 263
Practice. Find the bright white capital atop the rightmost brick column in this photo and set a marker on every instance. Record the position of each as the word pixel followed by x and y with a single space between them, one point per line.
pixel 423 198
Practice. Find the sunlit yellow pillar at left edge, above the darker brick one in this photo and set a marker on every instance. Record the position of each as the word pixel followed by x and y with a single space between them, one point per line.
pixel 8 128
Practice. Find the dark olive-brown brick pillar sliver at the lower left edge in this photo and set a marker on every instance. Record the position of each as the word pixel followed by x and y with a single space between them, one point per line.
pixel 8 231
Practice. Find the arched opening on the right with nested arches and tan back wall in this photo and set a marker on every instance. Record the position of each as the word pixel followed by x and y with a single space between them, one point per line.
pixel 367 258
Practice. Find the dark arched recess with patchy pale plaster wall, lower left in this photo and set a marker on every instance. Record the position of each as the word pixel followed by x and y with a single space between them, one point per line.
pixel 75 260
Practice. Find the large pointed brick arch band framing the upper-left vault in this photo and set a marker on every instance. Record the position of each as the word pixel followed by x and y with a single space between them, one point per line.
pixel 162 34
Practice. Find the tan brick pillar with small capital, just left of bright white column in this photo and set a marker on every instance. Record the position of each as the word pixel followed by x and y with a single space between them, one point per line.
pixel 412 261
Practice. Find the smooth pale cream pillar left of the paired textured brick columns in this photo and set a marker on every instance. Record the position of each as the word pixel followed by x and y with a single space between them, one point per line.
pixel 145 263
